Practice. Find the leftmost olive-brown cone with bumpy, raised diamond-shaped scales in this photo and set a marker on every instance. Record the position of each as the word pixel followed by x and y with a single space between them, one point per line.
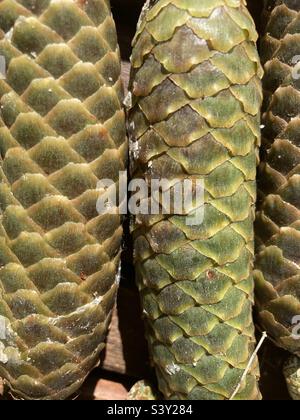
pixel 61 130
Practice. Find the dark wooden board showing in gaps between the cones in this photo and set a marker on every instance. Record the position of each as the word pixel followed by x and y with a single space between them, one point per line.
pixel 125 359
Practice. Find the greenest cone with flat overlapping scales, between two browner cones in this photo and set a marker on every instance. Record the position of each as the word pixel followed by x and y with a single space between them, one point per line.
pixel 196 113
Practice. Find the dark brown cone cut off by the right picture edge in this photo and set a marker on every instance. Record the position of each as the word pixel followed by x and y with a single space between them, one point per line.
pixel 277 272
